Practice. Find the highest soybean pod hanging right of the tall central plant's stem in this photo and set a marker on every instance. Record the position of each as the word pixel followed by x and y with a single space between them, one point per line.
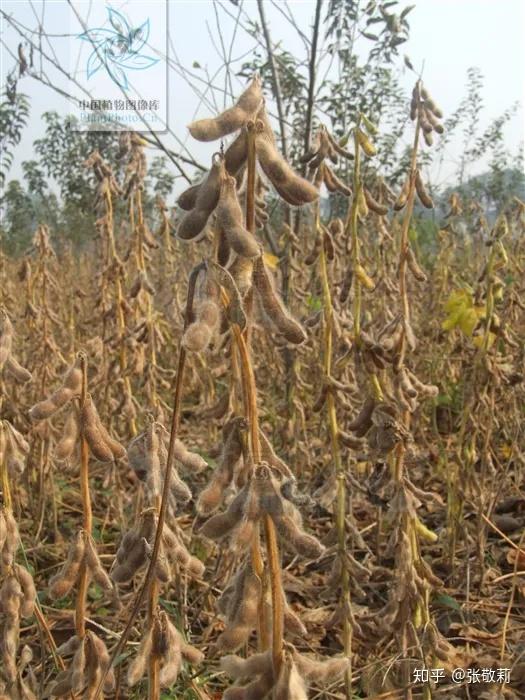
pixel 293 189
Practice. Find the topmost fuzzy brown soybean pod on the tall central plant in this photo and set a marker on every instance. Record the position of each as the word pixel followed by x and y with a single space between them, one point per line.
pixel 233 118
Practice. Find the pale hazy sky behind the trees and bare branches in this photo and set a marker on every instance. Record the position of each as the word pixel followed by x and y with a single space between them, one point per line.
pixel 446 38
